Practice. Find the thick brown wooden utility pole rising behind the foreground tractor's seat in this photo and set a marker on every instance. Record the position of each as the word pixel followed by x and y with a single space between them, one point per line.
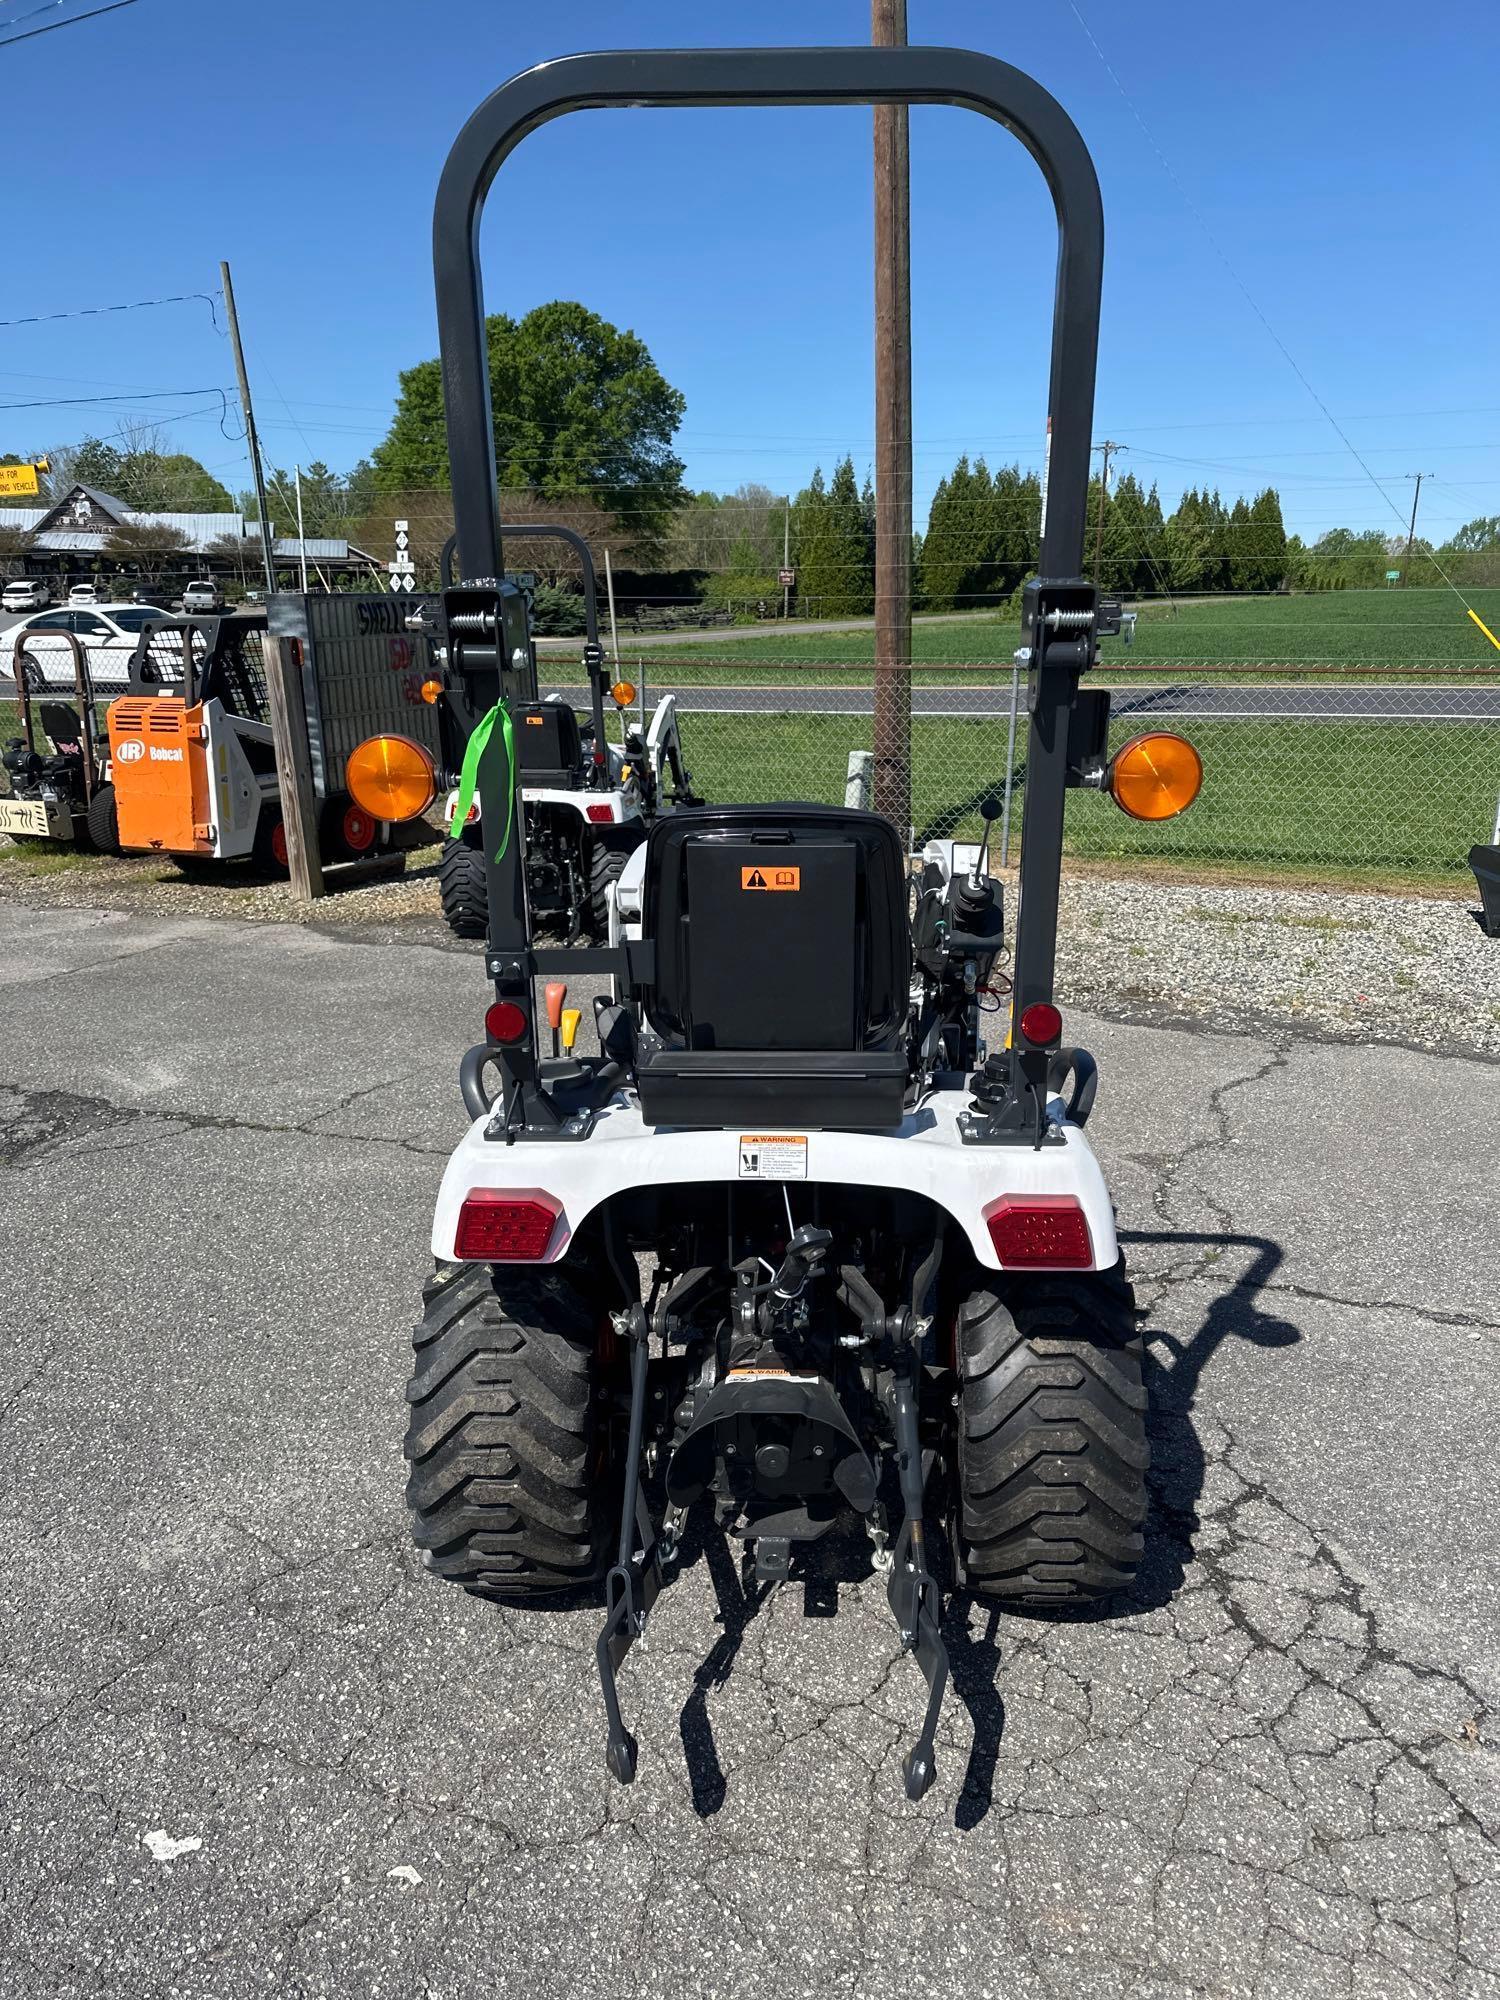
pixel 893 365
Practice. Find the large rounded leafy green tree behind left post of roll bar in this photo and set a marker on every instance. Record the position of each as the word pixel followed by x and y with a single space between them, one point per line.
pixel 577 407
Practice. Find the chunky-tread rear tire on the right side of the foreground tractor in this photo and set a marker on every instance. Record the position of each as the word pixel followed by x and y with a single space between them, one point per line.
pixel 1051 1439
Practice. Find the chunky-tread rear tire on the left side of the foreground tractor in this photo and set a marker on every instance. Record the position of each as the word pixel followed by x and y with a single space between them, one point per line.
pixel 509 1485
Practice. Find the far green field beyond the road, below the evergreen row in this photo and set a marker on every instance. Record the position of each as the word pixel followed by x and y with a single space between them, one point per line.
pixel 1387 629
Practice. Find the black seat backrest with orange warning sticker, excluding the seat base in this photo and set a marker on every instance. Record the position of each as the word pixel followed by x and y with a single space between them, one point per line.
pixel 777 929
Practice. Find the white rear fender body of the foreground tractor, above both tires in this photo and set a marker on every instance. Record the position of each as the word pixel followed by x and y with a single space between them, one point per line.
pixel 923 1157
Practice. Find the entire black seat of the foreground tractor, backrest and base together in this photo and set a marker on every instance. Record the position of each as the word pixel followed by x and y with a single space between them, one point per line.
pixel 781 971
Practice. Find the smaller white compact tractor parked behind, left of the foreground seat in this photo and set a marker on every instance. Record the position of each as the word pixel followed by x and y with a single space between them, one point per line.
pixel 587 801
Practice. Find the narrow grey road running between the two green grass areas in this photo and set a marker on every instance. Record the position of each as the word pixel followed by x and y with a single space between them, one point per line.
pixel 1169 699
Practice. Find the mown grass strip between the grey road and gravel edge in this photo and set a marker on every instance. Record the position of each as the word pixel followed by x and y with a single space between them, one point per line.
pixel 1331 799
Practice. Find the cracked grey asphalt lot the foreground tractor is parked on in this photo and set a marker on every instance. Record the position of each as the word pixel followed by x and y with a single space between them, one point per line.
pixel 249 1745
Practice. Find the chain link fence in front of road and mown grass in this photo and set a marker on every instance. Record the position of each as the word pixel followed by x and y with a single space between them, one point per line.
pixel 1339 773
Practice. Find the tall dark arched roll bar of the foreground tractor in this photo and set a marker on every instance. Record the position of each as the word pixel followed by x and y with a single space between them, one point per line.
pixel 749 77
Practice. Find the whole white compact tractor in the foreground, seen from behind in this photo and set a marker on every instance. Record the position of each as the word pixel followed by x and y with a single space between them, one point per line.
pixel 795 1249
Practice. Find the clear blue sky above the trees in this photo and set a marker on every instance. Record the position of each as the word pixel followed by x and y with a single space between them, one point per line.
pixel 1343 157
